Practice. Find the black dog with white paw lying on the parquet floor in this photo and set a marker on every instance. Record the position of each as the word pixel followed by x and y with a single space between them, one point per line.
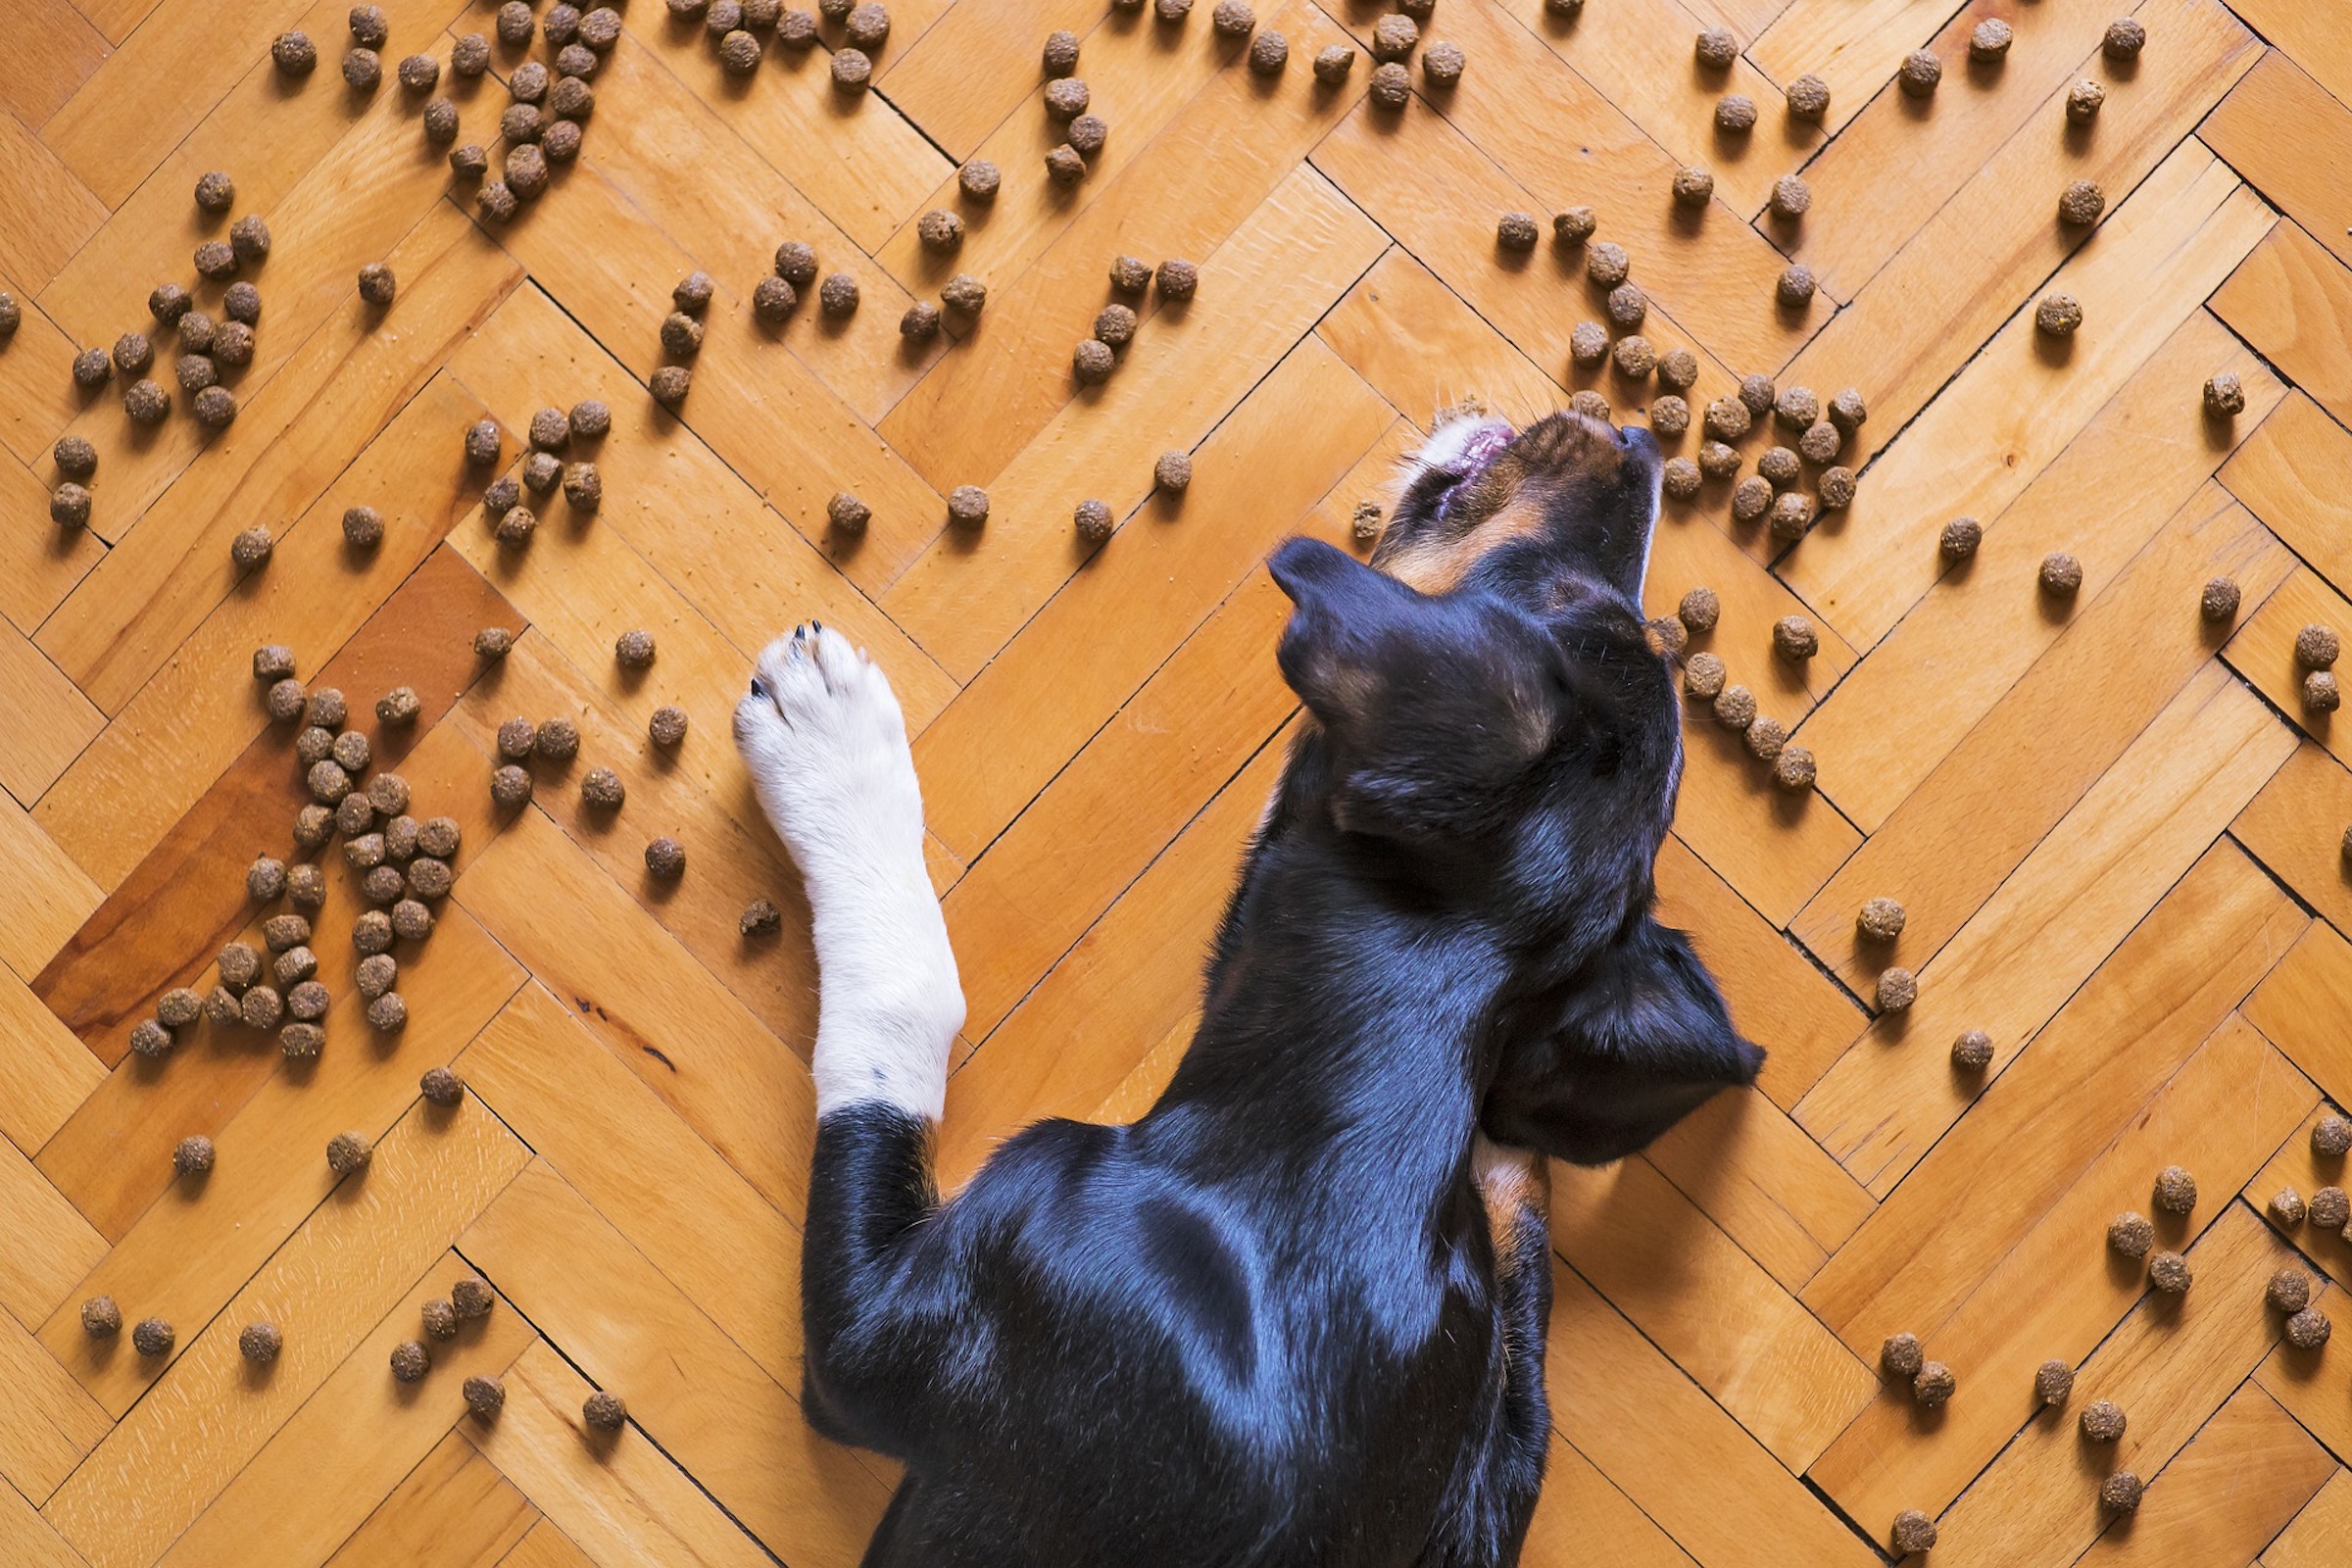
pixel 1295 1315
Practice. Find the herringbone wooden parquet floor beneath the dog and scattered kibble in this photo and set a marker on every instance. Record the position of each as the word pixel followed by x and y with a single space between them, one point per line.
pixel 2113 826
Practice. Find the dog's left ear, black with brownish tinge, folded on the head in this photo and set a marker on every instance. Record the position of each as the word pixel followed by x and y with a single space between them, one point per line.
pixel 1429 702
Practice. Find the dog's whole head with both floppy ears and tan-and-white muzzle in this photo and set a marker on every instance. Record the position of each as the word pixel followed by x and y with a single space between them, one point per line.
pixel 1497 730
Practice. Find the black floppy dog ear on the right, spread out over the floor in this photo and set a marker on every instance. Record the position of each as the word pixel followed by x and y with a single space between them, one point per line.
pixel 1638 1043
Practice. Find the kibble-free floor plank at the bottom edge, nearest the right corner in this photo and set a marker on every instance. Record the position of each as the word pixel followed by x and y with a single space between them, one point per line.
pixel 2229 1494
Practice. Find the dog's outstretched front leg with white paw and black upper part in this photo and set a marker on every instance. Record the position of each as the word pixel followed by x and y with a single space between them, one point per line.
pixel 827 751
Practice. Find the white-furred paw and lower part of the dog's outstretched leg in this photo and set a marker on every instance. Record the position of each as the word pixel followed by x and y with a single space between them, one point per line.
pixel 827 751
